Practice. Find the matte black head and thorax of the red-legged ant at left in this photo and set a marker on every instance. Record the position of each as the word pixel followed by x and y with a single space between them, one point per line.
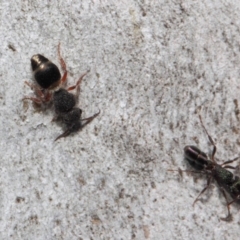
pixel 64 104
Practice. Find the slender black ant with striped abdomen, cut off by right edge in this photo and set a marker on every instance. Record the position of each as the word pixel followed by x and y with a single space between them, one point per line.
pixel 226 181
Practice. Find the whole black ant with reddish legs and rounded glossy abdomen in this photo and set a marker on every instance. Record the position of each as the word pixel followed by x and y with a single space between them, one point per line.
pixel 48 88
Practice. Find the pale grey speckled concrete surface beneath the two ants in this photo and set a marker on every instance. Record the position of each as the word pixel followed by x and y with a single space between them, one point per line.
pixel 153 67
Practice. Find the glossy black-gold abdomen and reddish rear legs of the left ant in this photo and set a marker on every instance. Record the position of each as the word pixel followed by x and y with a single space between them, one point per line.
pixel 47 77
